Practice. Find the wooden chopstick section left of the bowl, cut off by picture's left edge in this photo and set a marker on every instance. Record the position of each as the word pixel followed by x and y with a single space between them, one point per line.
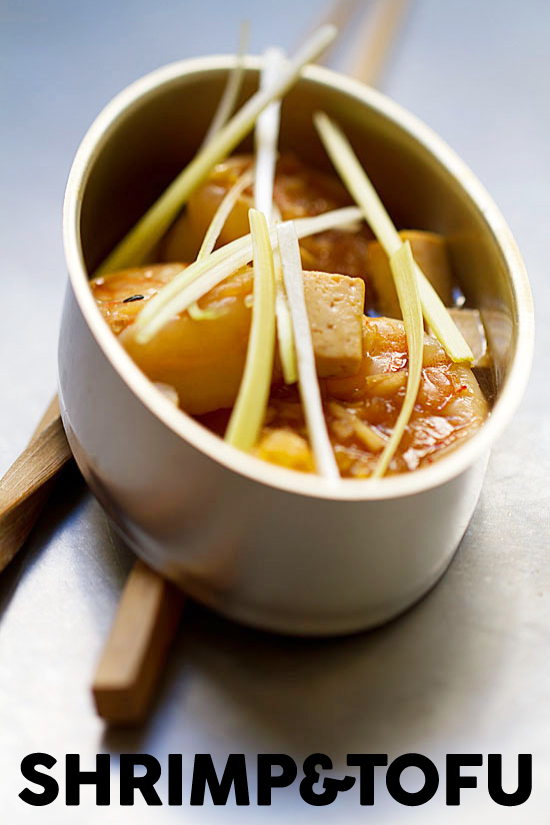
pixel 25 488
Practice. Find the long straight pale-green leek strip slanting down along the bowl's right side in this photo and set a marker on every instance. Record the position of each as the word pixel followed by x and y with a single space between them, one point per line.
pixel 360 187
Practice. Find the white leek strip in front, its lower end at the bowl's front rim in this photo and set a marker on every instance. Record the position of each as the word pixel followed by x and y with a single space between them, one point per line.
pixel 307 374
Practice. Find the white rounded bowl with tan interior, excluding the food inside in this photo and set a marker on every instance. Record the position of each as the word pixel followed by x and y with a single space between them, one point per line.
pixel 273 548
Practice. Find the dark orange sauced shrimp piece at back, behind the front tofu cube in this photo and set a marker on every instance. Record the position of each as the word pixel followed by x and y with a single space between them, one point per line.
pixel 299 191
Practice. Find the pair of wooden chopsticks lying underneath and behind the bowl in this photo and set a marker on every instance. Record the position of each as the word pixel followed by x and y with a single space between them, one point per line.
pixel 150 608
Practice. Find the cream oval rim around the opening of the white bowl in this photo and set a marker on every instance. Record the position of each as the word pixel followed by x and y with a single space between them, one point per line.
pixel 193 433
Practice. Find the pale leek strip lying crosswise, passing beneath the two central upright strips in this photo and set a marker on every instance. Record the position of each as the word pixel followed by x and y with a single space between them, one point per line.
pixel 202 276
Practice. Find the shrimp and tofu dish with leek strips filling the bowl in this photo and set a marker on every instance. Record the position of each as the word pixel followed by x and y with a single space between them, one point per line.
pixel 296 325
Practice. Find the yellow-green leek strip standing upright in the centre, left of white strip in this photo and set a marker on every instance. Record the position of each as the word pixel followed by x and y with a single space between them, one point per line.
pixel 249 409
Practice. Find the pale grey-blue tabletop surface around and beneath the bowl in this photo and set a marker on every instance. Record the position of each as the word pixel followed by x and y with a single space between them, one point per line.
pixel 468 669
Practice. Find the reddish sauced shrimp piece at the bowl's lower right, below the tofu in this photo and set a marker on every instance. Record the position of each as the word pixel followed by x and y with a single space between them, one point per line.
pixel 449 408
